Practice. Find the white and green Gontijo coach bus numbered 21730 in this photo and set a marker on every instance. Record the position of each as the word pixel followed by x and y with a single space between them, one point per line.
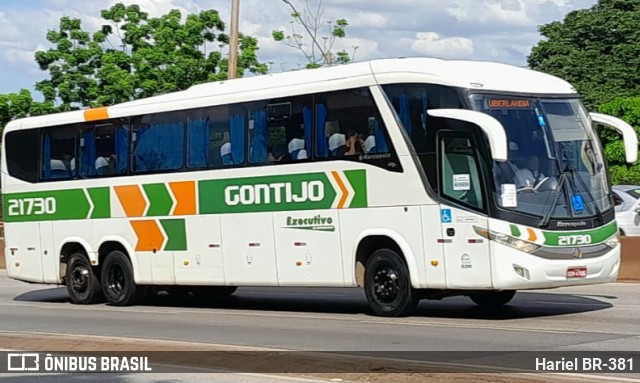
pixel 412 178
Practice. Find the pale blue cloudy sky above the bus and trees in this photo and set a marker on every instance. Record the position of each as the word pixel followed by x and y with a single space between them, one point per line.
pixel 493 30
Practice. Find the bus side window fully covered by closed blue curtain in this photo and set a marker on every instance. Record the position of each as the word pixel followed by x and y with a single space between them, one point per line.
pixel 158 142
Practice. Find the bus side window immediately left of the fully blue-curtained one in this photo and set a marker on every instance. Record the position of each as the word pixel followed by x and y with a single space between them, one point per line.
pixel 104 149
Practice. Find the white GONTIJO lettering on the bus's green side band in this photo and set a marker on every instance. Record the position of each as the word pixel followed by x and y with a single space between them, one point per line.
pixel 279 192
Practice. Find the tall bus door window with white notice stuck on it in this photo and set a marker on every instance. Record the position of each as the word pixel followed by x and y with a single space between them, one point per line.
pixel 460 177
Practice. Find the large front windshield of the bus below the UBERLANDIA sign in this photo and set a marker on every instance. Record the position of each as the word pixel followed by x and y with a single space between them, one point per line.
pixel 555 168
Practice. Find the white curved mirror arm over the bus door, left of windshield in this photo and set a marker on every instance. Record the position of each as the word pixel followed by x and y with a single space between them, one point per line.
pixel 491 127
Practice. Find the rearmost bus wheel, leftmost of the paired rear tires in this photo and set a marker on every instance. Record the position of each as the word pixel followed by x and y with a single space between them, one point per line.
pixel 83 285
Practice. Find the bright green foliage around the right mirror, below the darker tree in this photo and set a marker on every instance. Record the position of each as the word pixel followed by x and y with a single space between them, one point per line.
pixel 627 108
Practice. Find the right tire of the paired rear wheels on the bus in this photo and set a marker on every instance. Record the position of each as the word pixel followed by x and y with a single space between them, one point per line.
pixel 118 285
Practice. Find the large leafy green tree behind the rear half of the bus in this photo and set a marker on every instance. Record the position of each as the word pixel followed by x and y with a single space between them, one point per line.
pixel 134 56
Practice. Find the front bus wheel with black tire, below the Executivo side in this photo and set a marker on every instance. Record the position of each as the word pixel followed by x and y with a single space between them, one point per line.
pixel 387 285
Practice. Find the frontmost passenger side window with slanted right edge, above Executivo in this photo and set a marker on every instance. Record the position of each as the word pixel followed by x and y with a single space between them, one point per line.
pixel 349 124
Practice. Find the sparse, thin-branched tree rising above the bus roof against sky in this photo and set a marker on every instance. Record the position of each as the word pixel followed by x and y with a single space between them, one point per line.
pixel 321 33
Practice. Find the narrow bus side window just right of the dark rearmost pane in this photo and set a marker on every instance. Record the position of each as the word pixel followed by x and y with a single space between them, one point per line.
pixel 59 153
